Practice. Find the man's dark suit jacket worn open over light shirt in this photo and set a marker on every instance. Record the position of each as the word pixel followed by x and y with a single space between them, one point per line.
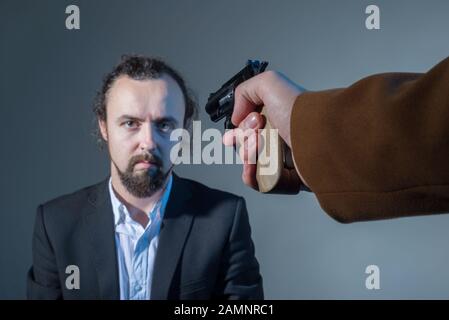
pixel 205 249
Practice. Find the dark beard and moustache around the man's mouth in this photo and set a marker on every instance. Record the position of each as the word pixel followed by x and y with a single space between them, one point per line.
pixel 147 181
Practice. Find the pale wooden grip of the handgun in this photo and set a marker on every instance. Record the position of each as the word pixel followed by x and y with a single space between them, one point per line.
pixel 270 161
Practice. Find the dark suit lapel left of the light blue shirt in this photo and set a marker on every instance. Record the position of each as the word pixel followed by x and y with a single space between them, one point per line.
pixel 99 224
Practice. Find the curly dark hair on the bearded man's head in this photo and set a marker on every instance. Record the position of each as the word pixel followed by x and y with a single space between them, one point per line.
pixel 140 67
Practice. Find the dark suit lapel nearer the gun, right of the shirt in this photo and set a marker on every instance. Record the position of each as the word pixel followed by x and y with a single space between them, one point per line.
pixel 174 230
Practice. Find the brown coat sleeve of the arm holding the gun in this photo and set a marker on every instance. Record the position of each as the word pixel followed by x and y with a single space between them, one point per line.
pixel 379 148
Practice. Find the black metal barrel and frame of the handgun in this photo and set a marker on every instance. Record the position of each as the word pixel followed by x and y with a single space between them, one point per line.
pixel 221 103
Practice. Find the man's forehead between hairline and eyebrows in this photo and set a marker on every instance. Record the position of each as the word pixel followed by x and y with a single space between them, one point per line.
pixel 142 98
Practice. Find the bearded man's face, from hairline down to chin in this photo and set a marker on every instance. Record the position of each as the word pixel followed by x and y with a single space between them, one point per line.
pixel 141 114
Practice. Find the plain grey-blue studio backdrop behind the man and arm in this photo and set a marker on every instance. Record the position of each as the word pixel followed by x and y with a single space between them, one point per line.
pixel 49 76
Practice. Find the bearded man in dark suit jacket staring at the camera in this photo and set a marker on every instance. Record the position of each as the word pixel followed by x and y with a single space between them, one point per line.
pixel 143 233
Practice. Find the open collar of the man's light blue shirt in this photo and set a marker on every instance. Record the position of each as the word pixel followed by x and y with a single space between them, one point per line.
pixel 119 210
